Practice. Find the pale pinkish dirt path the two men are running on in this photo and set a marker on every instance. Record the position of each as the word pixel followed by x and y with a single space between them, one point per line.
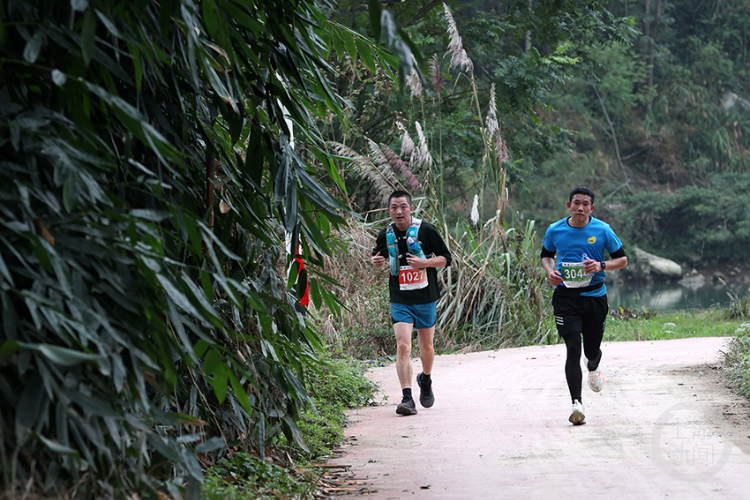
pixel 665 426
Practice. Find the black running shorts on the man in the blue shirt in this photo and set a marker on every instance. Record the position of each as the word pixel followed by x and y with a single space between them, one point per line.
pixel 580 314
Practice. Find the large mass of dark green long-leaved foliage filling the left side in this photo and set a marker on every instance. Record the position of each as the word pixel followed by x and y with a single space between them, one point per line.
pixel 148 179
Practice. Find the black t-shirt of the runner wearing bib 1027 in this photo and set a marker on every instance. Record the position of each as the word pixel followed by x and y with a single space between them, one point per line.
pixel 432 245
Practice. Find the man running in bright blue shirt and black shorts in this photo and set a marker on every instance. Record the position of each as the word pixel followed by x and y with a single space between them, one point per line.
pixel 580 297
